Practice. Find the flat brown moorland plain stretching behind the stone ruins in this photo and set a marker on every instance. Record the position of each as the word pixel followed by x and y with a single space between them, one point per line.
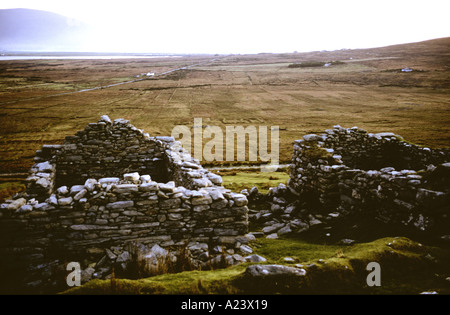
pixel 42 101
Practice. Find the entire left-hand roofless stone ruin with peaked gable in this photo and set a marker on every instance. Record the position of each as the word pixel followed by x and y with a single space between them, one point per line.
pixel 112 193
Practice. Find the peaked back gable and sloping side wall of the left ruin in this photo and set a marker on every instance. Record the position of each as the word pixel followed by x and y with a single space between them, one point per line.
pixel 111 149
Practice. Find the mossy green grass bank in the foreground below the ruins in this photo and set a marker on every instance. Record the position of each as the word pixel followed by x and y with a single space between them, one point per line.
pixel 407 267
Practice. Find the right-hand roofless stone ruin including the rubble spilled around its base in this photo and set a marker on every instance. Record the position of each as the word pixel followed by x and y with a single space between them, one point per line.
pixel 347 176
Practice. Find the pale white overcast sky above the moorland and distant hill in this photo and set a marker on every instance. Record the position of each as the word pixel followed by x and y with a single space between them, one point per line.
pixel 247 26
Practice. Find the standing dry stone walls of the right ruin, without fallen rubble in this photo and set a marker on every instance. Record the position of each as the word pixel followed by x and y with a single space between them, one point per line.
pixel 379 174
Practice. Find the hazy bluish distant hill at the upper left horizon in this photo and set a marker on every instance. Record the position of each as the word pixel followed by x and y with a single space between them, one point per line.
pixel 35 30
